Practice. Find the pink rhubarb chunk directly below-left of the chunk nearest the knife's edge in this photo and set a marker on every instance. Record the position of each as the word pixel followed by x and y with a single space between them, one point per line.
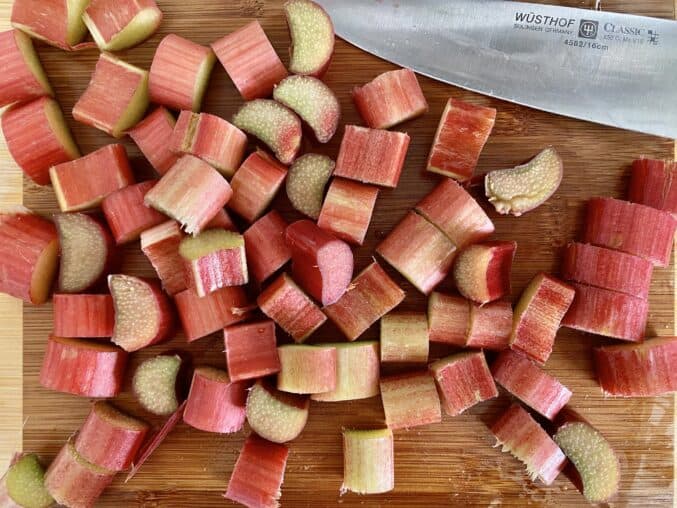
pixel 372 155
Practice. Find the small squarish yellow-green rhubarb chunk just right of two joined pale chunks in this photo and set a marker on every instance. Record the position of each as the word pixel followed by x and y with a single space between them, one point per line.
pixel 404 337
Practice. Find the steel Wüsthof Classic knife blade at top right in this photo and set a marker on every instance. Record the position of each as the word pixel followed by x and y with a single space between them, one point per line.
pixel 609 68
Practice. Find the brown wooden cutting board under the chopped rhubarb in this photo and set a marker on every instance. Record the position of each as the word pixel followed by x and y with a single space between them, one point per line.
pixel 452 463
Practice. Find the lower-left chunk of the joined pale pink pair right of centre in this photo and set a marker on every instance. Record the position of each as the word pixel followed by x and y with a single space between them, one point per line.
pixel 419 251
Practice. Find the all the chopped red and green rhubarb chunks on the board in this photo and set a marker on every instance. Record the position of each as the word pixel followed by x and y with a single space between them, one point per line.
pixel 290 278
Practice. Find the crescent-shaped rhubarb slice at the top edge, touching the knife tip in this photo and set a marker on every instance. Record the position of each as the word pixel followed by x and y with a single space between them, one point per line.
pixel 312 37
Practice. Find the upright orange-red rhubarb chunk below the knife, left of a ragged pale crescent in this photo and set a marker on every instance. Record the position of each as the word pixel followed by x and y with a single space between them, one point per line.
pixel 461 135
